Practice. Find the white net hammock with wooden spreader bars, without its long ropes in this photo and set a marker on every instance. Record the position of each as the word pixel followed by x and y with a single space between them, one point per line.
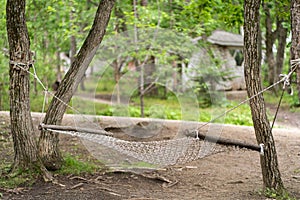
pixel 163 152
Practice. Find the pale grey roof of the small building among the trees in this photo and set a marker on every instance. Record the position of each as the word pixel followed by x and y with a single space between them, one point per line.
pixel 224 38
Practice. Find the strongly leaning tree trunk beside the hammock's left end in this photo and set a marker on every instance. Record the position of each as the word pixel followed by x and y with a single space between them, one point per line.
pixel 48 143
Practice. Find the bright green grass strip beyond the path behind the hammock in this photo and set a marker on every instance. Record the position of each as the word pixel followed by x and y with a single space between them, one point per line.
pixel 163 109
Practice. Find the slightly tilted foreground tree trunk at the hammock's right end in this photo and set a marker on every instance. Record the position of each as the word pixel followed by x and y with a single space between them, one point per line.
pixel 263 132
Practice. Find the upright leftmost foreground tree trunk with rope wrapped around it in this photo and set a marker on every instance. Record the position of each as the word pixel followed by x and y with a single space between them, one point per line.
pixel 25 148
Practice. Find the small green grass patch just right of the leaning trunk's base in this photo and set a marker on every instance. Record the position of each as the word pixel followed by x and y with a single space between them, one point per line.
pixel 73 165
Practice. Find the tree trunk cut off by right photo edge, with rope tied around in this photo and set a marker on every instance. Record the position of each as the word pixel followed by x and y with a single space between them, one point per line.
pixel 295 50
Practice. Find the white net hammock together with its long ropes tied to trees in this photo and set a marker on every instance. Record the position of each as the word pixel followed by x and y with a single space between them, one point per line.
pixel 163 152
